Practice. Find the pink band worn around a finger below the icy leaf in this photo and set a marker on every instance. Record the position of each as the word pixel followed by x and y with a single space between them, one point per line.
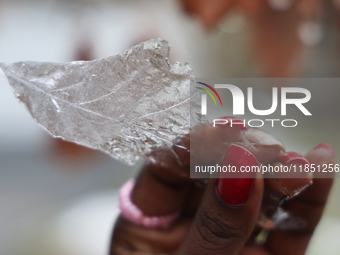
pixel 133 214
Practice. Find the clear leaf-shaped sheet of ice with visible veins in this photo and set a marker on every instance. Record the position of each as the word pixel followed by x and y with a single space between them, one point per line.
pixel 124 105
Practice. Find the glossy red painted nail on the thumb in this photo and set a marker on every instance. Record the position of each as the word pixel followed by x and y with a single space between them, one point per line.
pixel 236 191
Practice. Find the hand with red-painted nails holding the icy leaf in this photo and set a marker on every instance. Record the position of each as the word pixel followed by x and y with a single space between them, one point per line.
pixel 214 219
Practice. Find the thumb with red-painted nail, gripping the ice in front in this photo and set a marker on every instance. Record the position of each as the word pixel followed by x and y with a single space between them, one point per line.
pixel 229 210
